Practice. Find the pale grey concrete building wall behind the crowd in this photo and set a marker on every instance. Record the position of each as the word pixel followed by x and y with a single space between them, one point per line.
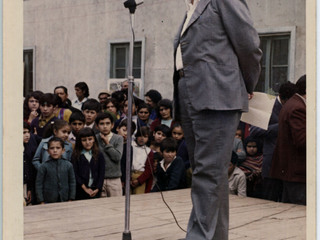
pixel 71 37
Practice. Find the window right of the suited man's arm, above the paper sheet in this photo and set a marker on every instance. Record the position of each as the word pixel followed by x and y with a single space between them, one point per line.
pixel 277 63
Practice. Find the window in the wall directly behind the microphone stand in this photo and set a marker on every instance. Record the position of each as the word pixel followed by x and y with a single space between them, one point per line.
pixel 119 65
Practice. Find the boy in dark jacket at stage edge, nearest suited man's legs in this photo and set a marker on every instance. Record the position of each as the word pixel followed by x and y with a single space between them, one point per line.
pixel 170 171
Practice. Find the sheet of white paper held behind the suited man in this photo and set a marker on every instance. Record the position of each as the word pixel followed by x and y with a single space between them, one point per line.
pixel 260 108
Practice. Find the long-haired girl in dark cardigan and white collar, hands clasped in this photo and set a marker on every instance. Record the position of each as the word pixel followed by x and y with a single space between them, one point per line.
pixel 88 164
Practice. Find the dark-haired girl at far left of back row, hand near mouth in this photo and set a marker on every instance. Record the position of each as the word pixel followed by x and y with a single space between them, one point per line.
pixel 31 105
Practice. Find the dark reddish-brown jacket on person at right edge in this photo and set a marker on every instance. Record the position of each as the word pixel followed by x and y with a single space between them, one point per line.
pixel 289 157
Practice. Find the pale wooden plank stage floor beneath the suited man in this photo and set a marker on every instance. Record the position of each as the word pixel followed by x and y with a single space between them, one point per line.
pixel 250 219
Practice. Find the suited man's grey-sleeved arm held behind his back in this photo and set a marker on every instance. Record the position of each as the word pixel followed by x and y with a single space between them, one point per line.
pixel 238 24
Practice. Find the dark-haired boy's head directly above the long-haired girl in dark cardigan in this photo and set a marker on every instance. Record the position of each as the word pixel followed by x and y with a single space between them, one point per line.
pixel 90 110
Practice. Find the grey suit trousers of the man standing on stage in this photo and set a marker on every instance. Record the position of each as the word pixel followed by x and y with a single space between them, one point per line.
pixel 209 135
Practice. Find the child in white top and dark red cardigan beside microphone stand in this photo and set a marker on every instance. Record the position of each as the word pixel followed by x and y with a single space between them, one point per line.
pixel 142 163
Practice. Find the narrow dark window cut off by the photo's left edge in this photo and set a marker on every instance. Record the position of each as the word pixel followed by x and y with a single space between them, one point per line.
pixel 28 71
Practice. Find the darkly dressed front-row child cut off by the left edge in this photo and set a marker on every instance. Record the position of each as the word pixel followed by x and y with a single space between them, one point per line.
pixel 30 144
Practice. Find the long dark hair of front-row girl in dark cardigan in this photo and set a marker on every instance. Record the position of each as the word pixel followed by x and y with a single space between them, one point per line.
pixel 85 132
